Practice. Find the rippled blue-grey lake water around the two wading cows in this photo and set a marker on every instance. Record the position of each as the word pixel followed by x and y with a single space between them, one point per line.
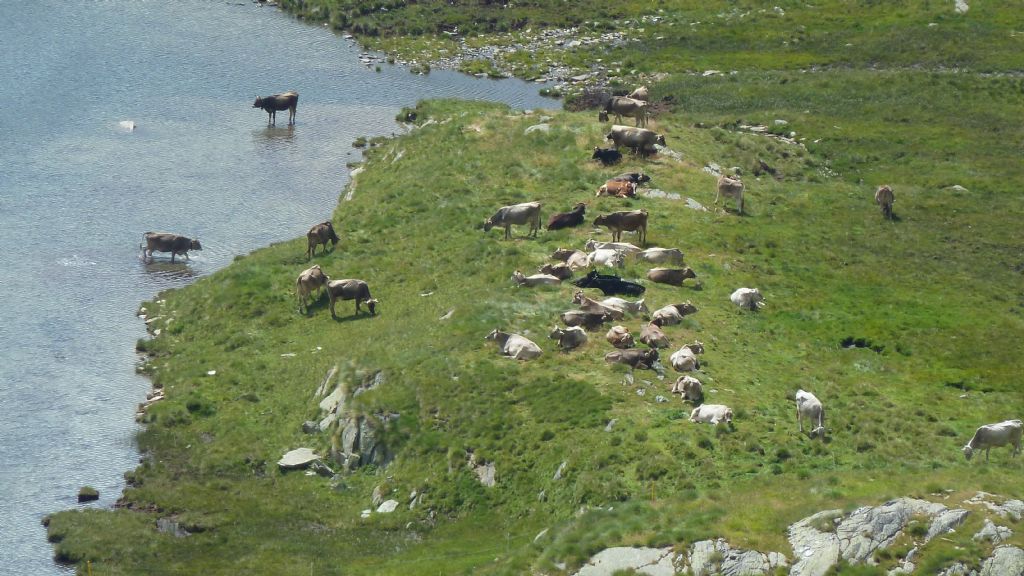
pixel 77 191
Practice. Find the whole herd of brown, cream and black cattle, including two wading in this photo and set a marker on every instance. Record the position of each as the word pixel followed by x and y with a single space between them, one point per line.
pixel 592 315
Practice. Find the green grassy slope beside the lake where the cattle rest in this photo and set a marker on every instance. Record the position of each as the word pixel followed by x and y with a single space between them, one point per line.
pixel 581 449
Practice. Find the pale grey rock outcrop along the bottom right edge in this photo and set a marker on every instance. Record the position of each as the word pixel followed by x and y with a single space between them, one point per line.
pixel 824 540
